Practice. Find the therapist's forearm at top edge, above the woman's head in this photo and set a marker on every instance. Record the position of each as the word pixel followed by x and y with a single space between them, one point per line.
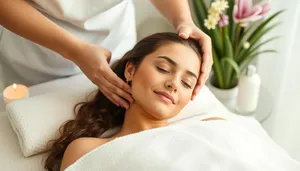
pixel 176 11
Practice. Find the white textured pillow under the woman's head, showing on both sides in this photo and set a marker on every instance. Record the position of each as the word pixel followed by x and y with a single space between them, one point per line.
pixel 36 120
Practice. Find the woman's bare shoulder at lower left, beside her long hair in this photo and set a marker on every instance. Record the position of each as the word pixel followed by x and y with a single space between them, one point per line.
pixel 78 148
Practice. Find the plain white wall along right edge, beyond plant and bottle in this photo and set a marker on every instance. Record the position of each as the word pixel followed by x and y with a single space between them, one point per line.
pixel 280 73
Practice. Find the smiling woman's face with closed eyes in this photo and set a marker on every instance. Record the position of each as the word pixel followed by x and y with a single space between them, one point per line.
pixel 163 83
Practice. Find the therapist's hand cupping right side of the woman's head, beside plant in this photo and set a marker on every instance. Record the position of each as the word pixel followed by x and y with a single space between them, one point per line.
pixel 187 30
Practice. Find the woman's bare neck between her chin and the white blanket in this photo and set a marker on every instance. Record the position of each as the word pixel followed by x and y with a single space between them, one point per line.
pixel 137 120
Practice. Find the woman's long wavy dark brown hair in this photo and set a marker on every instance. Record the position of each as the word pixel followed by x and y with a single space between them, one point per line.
pixel 96 116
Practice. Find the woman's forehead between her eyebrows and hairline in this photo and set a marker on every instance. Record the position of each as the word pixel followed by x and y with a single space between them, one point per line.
pixel 183 55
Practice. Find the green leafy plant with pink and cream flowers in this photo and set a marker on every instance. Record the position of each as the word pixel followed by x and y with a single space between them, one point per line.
pixel 236 33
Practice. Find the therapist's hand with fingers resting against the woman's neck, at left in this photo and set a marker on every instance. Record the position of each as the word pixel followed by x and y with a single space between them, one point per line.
pixel 93 60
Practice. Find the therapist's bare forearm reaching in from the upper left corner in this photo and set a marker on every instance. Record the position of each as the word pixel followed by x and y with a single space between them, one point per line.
pixel 24 20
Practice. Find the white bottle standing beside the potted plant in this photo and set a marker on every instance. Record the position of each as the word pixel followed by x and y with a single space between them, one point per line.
pixel 248 91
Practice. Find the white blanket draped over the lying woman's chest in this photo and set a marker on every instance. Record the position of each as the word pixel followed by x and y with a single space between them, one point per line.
pixel 193 146
